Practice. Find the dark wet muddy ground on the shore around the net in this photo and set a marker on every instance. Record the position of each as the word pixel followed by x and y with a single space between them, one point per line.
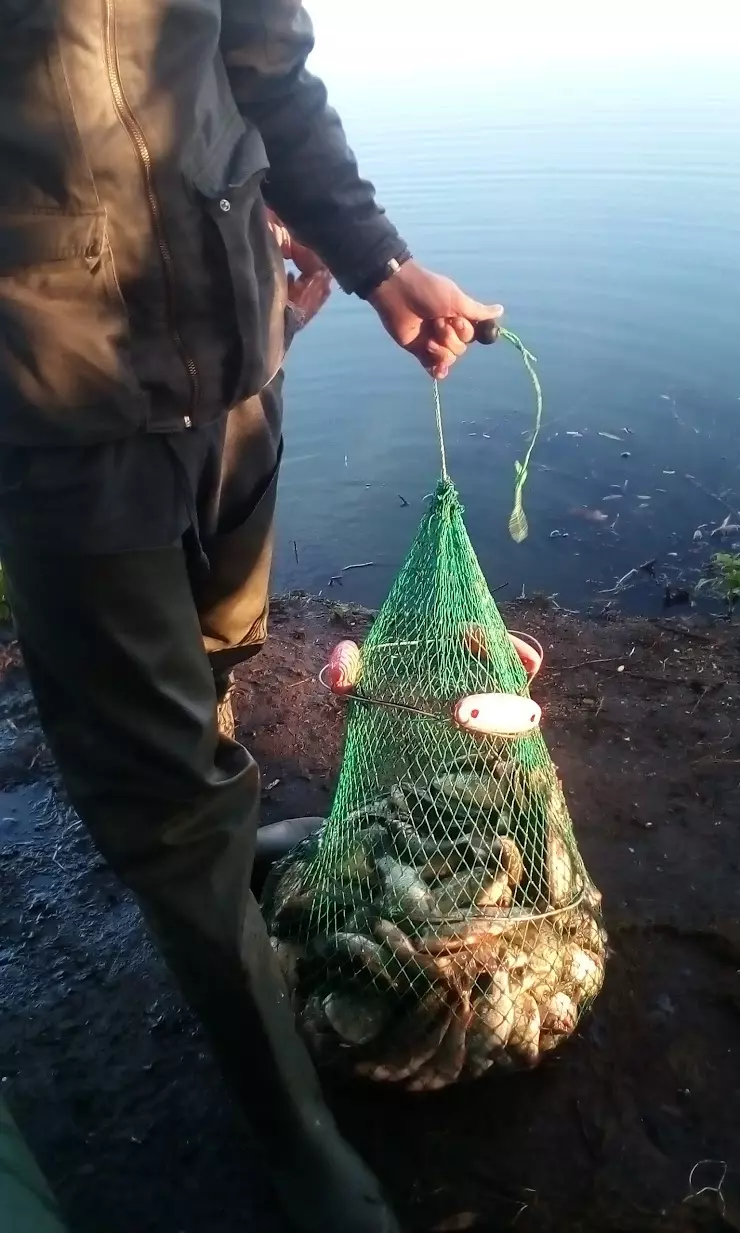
pixel 110 1079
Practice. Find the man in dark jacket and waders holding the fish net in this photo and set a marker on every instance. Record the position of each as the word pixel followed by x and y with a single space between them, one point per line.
pixel 144 325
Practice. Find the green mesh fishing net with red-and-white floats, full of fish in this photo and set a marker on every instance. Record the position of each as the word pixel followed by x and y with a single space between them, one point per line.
pixel 443 922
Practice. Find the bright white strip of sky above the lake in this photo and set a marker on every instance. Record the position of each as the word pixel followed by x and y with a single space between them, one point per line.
pixel 393 38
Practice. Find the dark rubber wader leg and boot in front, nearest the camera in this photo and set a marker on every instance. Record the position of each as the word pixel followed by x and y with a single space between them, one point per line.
pixel 128 700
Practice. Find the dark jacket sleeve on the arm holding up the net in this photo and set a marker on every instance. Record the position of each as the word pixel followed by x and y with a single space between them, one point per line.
pixel 314 183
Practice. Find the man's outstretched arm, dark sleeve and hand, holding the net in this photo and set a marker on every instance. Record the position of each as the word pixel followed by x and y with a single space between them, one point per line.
pixel 316 188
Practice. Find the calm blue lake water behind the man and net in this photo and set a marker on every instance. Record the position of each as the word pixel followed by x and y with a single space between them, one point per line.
pixel 604 210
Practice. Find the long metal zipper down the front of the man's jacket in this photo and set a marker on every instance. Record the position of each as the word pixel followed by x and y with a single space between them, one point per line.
pixel 140 145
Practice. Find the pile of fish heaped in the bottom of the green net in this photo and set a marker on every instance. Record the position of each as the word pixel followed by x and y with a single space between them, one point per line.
pixel 441 930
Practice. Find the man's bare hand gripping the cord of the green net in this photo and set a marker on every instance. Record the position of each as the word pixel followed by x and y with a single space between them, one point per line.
pixel 430 316
